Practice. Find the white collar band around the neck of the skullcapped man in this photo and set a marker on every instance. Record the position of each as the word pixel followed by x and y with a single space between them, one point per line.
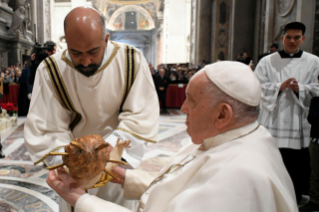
pixel 228 136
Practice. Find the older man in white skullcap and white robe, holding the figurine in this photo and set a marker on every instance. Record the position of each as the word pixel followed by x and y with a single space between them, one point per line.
pixel 232 165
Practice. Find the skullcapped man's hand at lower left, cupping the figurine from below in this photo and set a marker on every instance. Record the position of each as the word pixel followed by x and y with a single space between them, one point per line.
pixel 65 186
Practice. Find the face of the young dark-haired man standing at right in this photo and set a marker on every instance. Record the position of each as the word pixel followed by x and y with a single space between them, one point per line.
pixel 292 40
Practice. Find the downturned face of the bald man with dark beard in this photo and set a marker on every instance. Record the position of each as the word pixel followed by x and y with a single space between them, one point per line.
pixel 86 50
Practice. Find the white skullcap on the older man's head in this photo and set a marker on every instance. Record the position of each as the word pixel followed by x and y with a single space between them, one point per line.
pixel 236 80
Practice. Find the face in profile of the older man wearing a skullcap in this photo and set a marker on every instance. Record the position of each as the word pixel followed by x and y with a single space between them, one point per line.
pixel 198 109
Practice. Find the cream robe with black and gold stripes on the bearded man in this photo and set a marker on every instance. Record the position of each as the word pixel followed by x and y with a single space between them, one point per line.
pixel 123 81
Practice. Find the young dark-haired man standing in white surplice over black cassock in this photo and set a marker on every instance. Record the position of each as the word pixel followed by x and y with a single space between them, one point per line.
pixel 289 82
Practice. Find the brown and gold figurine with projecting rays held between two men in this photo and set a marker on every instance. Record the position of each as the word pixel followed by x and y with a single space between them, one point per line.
pixel 89 162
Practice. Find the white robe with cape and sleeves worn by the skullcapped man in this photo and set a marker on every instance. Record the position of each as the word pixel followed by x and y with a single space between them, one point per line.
pixel 239 170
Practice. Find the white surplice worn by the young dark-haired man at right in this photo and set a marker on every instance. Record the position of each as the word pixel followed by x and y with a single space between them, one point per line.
pixel 283 113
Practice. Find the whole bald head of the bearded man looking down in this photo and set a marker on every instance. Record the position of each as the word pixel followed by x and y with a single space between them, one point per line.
pixel 85 36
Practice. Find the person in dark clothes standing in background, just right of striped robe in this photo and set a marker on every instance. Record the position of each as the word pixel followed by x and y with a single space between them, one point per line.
pixel 161 84
